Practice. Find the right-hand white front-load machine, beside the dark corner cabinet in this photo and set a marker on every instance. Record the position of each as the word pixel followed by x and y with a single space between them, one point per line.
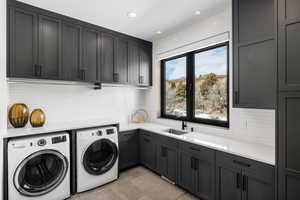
pixel 97 157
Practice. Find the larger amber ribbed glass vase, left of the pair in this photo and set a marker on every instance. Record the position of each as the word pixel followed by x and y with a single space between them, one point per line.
pixel 18 115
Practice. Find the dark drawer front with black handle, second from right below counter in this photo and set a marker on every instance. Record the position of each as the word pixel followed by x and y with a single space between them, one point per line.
pixel 200 151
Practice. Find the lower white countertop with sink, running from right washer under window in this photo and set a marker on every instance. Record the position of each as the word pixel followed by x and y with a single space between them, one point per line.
pixel 258 152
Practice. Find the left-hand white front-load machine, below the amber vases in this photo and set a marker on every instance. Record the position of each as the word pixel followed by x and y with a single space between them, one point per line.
pixel 39 167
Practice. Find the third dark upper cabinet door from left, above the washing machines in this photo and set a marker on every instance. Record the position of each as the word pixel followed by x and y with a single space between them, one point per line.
pixel 71 52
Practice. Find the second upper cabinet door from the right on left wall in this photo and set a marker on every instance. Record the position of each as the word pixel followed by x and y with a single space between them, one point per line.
pixel 133 66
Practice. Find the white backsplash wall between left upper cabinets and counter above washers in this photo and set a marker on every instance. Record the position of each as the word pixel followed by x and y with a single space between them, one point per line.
pixel 63 103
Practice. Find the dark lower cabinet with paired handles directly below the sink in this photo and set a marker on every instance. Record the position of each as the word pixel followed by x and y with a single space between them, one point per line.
pixel 167 157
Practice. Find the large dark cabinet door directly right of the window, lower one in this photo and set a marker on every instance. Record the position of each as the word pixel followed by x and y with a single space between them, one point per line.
pixel 255 76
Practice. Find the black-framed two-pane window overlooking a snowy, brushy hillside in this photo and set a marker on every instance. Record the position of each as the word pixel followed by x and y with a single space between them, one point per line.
pixel 195 86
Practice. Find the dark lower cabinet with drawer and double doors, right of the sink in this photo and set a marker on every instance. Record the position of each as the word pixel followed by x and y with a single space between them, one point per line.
pixel 197 170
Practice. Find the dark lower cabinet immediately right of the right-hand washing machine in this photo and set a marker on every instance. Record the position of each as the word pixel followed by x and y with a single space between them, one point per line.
pixel 129 149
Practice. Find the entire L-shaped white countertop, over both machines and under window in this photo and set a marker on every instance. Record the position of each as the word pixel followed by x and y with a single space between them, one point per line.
pixel 259 152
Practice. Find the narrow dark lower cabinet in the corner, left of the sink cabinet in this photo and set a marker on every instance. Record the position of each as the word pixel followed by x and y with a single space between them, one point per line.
pixel 148 149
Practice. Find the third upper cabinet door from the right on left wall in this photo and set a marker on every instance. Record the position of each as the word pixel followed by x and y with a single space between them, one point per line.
pixel 121 66
